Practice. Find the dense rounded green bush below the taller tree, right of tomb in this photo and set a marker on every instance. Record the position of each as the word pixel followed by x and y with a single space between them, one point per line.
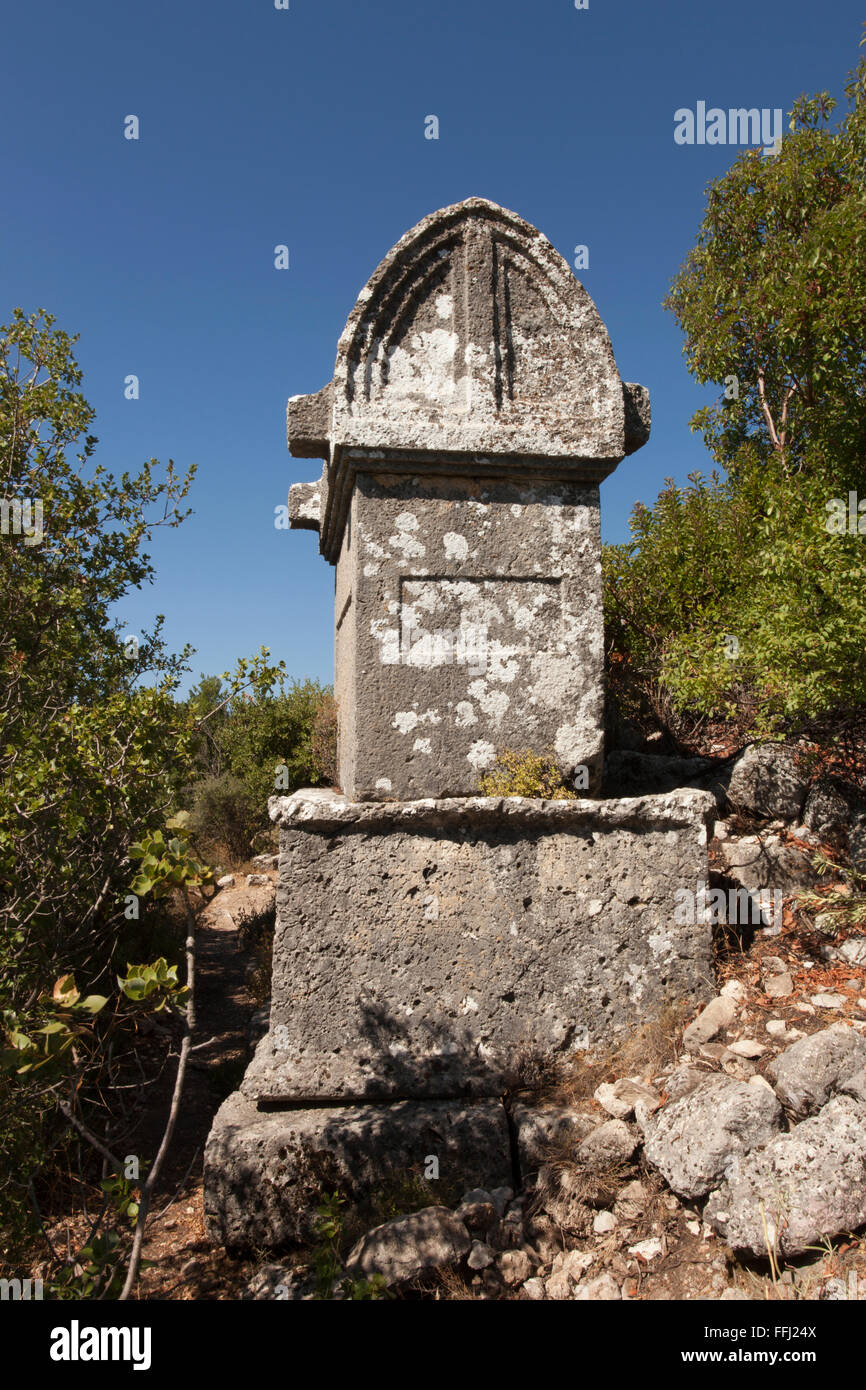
pixel 736 601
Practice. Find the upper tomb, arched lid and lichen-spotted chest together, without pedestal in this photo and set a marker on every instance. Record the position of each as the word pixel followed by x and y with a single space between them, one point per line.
pixel 475 409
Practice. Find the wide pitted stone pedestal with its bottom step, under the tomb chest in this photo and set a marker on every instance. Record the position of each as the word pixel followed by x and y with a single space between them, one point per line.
pixel 427 957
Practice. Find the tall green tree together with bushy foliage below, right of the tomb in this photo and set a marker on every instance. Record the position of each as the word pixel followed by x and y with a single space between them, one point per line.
pixel 736 598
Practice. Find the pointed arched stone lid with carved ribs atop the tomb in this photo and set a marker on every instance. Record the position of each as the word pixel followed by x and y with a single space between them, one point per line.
pixel 473 336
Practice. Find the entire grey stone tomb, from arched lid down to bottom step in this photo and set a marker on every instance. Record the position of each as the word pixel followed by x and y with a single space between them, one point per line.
pixel 429 938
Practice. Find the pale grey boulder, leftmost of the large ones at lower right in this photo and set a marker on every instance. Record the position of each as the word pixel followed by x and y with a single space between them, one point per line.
pixel 693 1142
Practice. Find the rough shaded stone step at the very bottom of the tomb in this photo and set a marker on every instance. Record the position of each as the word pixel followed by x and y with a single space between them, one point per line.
pixel 265 1171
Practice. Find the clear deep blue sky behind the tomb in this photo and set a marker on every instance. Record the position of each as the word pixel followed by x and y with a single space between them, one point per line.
pixel 307 127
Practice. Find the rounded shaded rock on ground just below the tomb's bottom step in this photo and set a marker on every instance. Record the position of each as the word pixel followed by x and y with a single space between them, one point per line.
pixel 411 1246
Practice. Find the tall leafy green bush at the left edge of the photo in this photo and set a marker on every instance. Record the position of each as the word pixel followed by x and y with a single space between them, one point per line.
pixel 92 743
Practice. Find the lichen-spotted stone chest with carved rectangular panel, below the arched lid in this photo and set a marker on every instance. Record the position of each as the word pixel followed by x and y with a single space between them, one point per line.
pixel 472 622
